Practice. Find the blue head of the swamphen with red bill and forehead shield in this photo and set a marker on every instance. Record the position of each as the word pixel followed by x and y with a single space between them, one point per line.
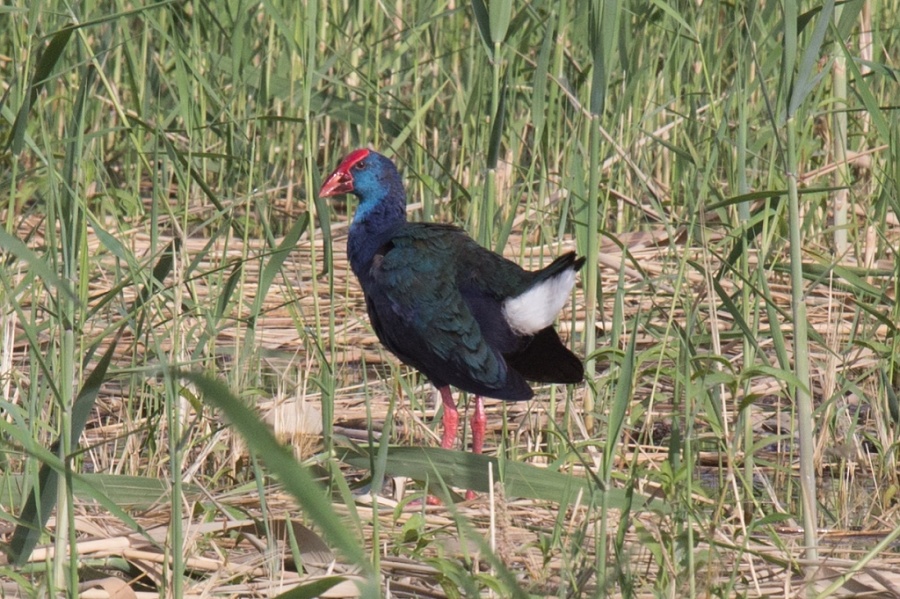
pixel 366 174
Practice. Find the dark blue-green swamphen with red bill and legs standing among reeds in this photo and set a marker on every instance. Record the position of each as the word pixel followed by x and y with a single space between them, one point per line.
pixel 457 312
